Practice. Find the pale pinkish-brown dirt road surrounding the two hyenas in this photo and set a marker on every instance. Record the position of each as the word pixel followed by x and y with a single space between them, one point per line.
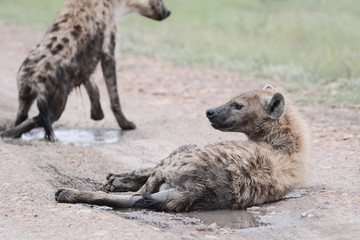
pixel 168 104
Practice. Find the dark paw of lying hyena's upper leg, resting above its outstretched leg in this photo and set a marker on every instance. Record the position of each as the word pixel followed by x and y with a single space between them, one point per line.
pixel 121 183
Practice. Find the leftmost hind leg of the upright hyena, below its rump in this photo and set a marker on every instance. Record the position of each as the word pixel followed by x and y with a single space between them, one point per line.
pixel 26 98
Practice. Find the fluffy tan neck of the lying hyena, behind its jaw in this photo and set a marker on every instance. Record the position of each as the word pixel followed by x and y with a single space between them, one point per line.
pixel 286 134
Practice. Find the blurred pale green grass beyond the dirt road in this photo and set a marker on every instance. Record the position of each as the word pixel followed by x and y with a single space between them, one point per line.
pixel 305 45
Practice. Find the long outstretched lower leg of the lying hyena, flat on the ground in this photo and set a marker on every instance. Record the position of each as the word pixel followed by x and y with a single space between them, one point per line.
pixel 146 200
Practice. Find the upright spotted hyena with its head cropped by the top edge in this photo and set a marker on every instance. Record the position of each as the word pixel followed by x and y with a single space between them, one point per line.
pixel 82 35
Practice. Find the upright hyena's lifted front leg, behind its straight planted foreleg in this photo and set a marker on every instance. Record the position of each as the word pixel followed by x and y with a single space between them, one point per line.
pixel 93 92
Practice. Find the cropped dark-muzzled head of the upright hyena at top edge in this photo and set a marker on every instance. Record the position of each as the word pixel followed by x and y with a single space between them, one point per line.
pixel 154 9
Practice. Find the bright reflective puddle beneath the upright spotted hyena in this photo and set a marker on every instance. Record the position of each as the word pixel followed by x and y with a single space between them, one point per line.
pixel 78 137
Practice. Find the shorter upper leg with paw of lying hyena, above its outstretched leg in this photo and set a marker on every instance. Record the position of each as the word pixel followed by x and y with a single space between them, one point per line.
pixel 128 181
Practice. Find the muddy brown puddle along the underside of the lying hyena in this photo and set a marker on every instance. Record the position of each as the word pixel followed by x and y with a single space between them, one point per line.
pixel 235 219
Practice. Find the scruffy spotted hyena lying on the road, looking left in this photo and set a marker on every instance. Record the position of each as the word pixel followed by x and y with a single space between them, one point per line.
pixel 234 174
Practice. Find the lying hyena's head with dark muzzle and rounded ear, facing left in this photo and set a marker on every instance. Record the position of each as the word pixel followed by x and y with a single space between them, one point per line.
pixel 249 112
